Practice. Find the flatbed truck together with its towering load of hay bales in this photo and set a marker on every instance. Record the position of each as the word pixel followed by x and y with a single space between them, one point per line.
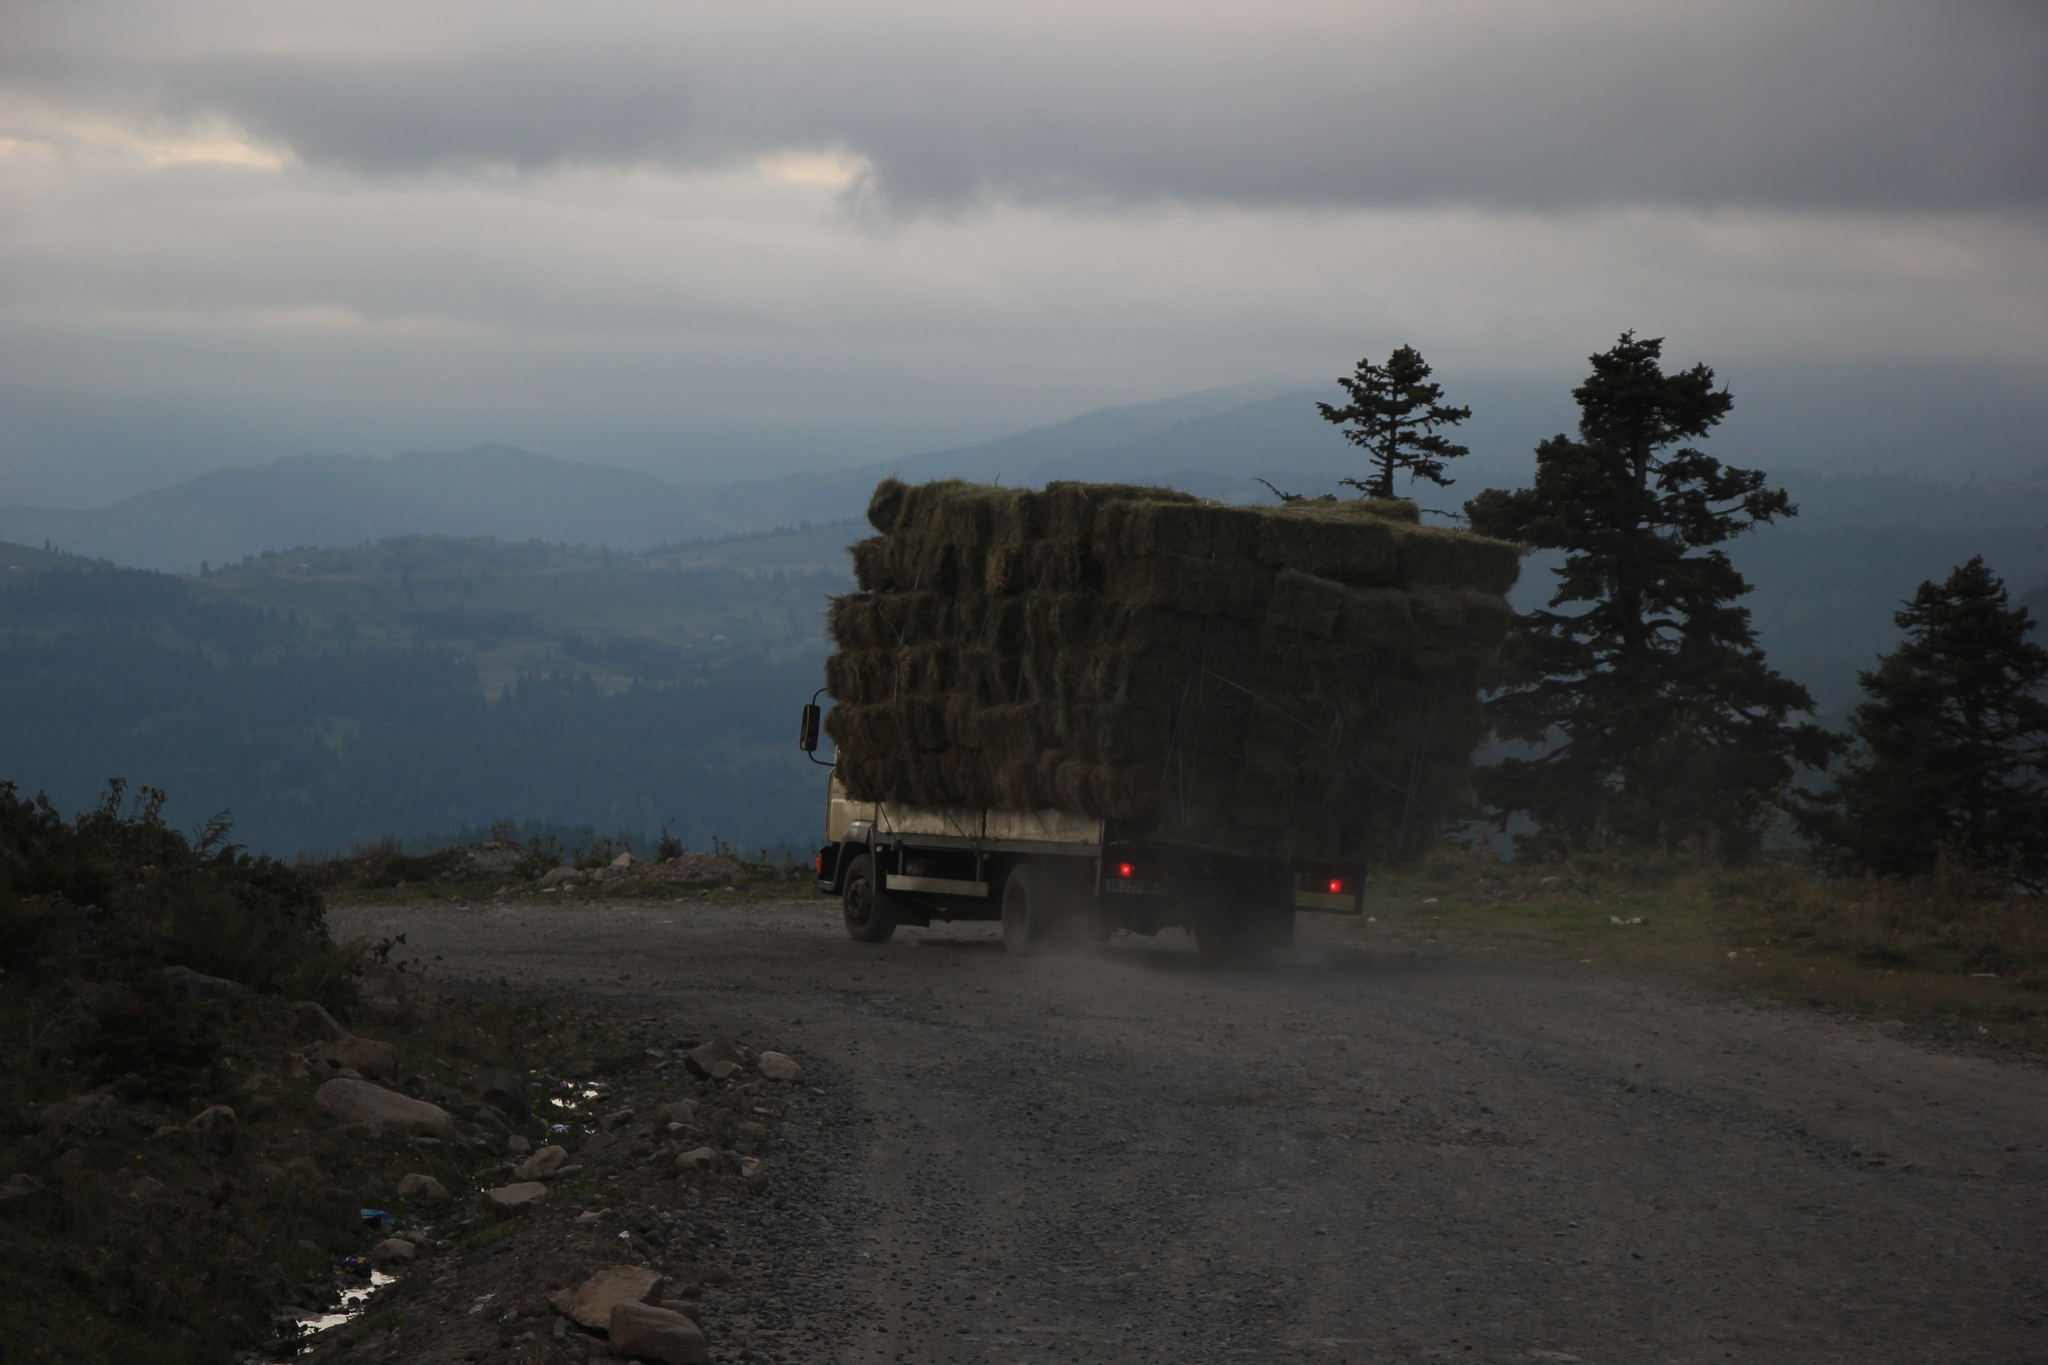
pixel 1105 707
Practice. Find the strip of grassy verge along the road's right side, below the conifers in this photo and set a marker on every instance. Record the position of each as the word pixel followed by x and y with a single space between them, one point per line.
pixel 1955 955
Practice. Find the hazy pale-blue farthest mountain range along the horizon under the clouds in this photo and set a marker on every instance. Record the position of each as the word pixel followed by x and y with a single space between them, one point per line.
pixel 1215 443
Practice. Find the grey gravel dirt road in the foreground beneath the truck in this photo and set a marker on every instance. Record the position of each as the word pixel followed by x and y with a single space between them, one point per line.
pixel 1349 1157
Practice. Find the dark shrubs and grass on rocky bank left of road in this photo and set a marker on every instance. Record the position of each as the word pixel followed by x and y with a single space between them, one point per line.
pixel 169 1010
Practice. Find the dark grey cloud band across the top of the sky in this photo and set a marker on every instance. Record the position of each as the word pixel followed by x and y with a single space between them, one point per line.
pixel 1840 105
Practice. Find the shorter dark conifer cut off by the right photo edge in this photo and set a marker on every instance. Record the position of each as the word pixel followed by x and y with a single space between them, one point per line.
pixel 1953 740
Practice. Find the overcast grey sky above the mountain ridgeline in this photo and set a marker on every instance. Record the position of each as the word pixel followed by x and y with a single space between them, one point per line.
pixel 714 240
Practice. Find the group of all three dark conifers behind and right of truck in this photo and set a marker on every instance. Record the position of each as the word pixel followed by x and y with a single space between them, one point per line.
pixel 1644 709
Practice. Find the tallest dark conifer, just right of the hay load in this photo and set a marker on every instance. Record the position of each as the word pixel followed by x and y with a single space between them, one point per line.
pixel 1656 711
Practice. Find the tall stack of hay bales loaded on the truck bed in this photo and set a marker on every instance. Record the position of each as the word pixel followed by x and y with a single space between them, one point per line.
pixel 1295 682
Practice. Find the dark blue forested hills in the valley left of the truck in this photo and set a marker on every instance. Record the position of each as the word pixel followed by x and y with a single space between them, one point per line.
pixel 429 707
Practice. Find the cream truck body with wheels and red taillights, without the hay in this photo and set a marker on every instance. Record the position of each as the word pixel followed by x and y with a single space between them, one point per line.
pixel 1058 877
